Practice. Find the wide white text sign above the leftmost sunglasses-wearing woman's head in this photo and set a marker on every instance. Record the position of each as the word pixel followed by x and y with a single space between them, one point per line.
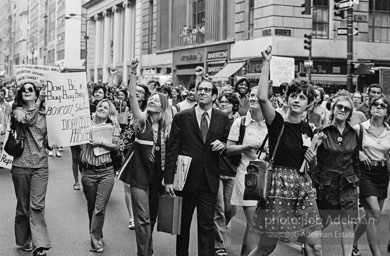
pixel 32 73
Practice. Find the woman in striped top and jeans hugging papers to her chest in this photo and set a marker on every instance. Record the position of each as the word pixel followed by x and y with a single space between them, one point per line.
pixel 98 174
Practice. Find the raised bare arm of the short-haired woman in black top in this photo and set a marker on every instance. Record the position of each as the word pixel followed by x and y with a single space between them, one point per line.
pixel 262 93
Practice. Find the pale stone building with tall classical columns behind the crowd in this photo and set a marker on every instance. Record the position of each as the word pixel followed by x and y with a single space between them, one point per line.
pixel 114 37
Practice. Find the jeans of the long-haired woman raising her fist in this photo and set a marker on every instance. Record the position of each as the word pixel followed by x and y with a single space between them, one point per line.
pixel 145 208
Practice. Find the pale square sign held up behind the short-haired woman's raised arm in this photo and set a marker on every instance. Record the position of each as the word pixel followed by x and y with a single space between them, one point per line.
pixel 282 70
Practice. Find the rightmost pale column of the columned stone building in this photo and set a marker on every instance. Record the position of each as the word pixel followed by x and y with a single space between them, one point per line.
pixel 128 45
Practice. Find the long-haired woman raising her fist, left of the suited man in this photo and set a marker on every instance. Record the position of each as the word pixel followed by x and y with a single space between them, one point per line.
pixel 146 167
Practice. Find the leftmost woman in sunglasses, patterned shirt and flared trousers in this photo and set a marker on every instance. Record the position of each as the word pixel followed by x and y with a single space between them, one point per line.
pixel 30 170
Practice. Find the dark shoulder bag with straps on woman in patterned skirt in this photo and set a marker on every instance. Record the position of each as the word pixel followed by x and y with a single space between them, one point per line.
pixel 258 177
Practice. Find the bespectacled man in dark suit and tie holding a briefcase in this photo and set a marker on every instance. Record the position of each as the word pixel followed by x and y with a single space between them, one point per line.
pixel 199 133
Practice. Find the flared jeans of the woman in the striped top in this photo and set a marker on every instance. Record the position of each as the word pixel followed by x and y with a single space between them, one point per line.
pixel 97 185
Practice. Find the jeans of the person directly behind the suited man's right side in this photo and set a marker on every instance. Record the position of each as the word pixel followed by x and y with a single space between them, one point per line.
pixel 224 211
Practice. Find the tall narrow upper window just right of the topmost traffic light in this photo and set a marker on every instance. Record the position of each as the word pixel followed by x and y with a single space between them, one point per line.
pixel 321 18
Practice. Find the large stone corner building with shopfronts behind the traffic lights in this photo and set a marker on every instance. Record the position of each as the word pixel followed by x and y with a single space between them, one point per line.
pixel 179 35
